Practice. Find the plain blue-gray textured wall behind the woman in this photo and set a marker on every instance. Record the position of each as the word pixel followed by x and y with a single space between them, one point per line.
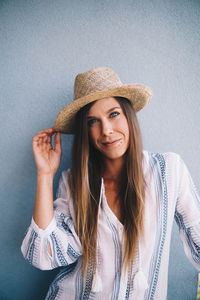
pixel 43 45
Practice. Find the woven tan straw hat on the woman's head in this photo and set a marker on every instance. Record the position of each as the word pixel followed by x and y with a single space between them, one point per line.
pixel 95 84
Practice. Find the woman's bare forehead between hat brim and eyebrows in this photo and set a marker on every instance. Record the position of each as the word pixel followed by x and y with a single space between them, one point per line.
pixel 104 104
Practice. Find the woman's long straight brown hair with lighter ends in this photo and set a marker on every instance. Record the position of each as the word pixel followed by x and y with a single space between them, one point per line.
pixel 86 182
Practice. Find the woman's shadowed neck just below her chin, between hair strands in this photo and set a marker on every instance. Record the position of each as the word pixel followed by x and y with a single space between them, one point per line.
pixel 113 169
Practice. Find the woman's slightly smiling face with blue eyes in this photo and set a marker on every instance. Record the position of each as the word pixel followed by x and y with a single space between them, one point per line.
pixel 108 128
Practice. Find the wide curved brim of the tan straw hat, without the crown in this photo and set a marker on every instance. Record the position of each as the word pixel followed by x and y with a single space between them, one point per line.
pixel 138 94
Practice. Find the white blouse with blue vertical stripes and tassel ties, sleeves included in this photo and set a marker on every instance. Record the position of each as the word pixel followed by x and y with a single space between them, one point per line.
pixel 170 194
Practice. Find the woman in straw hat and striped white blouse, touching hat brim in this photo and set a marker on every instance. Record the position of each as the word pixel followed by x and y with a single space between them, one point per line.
pixel 110 227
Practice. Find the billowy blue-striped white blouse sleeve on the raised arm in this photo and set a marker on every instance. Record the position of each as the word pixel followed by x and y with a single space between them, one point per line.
pixel 60 234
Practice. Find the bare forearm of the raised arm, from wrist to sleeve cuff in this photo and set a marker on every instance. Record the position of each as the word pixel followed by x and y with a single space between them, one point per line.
pixel 43 210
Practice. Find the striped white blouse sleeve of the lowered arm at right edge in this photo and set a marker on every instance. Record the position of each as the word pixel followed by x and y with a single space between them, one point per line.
pixel 187 215
